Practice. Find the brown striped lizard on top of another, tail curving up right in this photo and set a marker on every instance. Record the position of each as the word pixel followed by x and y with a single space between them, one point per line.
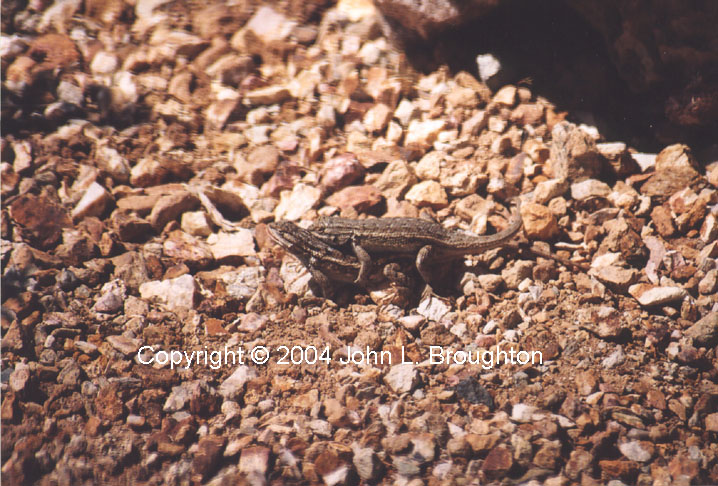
pixel 429 241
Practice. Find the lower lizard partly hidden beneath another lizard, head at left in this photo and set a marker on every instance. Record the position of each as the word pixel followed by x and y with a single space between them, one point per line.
pixel 326 263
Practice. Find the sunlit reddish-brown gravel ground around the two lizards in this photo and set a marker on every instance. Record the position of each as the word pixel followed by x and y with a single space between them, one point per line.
pixel 146 145
